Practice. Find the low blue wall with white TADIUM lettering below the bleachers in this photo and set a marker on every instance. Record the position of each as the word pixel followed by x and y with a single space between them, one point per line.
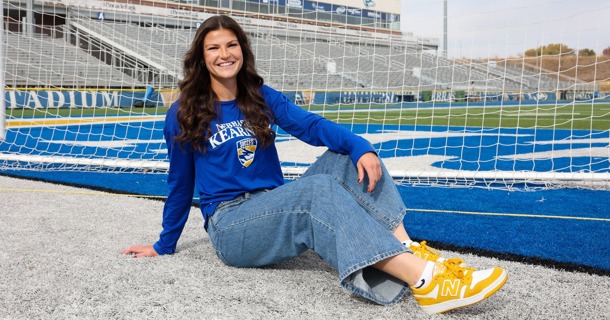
pixel 89 98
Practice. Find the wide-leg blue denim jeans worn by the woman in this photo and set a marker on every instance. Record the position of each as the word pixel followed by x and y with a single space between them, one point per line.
pixel 326 210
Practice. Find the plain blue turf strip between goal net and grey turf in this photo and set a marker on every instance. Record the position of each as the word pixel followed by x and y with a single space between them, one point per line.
pixel 457 219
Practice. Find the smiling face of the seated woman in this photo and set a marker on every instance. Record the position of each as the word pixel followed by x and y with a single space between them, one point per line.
pixel 223 56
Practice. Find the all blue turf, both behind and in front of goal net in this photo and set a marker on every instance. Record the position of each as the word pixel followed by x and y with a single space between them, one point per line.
pixel 567 226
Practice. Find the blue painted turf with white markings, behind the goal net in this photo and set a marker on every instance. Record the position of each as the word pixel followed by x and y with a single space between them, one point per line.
pixel 476 150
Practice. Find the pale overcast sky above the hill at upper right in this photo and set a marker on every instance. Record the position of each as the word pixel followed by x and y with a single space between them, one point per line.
pixel 497 28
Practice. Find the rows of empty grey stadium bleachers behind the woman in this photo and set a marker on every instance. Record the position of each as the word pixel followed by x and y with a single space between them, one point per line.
pixel 123 54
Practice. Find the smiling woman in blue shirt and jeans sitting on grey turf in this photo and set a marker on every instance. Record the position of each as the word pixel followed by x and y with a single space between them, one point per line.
pixel 345 207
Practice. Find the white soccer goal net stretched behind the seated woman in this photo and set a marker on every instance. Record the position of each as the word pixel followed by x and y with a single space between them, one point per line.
pixel 87 84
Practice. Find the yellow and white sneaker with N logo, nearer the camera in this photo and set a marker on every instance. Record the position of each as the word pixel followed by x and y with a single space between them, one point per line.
pixel 455 286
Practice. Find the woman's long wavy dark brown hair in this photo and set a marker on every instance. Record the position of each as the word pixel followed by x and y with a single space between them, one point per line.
pixel 196 103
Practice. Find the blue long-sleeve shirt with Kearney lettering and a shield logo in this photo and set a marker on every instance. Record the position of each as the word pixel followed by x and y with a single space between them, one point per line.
pixel 234 162
